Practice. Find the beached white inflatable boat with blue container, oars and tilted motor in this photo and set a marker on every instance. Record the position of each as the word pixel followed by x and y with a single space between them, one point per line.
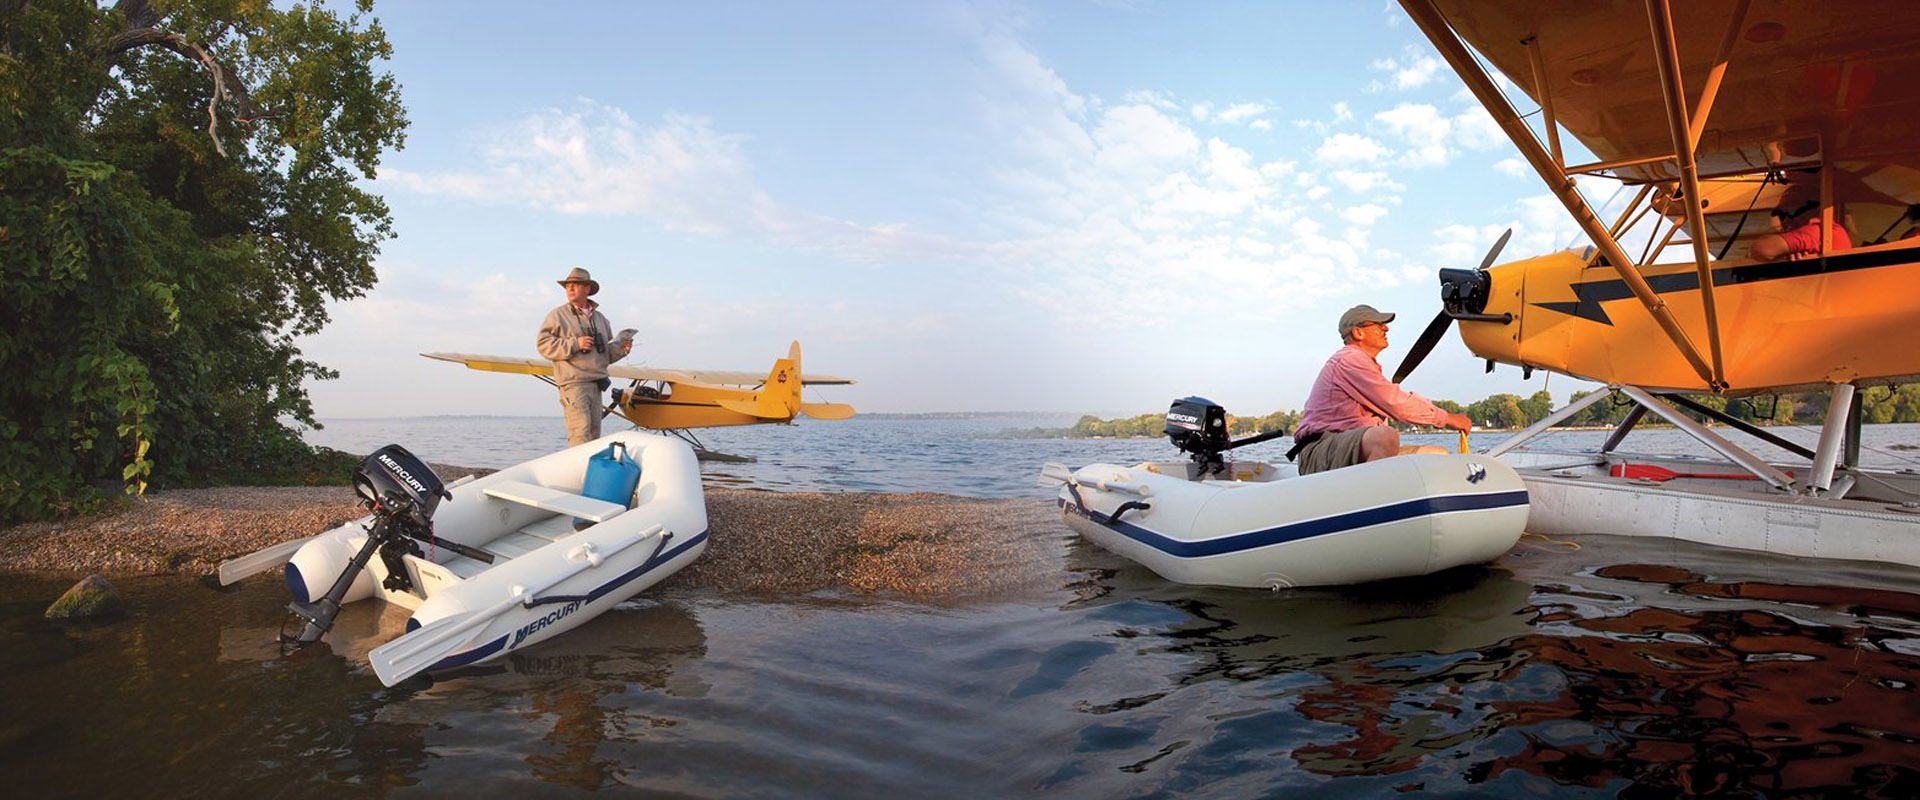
pixel 500 563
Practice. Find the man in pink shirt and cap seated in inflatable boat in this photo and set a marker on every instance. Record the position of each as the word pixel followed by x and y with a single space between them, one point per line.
pixel 1345 421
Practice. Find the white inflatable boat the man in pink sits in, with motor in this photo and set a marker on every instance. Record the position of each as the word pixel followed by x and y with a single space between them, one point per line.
pixel 1257 525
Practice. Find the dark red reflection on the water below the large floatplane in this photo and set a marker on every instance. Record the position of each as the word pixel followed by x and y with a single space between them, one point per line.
pixel 1810 692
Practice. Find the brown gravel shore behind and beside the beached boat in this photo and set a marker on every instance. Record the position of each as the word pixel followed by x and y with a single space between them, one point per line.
pixel 763 542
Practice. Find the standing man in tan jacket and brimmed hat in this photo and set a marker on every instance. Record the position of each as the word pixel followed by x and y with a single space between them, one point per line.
pixel 581 344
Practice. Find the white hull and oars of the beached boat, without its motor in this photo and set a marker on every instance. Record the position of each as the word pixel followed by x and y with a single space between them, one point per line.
pixel 533 548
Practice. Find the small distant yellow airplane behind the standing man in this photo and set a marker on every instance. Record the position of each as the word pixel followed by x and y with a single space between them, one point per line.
pixel 673 400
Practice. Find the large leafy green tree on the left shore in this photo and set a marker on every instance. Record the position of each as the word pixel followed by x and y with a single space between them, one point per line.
pixel 178 204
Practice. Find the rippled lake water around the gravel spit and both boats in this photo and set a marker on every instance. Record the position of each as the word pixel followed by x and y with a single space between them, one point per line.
pixel 1621 669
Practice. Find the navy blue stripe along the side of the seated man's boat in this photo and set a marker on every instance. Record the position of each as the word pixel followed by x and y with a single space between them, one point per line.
pixel 1308 529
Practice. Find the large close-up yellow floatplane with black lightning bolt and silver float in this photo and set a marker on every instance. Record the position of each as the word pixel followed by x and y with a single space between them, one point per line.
pixel 1716 114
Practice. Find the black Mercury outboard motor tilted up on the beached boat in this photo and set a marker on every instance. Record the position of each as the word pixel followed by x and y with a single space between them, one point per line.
pixel 402 494
